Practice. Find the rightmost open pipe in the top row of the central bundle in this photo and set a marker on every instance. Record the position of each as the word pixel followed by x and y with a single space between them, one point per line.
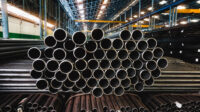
pixel 137 35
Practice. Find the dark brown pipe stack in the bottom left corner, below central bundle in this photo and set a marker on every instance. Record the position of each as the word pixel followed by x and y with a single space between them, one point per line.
pixel 30 103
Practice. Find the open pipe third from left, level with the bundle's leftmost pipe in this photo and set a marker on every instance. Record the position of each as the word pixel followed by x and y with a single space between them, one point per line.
pixel 59 54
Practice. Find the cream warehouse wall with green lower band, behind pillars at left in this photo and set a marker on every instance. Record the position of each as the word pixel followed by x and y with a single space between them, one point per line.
pixel 19 28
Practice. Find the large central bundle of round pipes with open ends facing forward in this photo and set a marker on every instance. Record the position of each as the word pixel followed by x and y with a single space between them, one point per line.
pixel 101 65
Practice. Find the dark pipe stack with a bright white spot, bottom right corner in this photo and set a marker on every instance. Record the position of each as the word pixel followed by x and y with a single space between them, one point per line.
pixel 174 103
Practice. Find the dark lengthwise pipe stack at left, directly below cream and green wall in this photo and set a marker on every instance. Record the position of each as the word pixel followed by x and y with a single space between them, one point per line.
pixel 14 48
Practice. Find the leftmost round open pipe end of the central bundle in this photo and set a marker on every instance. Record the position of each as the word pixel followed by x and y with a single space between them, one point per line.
pixel 34 53
